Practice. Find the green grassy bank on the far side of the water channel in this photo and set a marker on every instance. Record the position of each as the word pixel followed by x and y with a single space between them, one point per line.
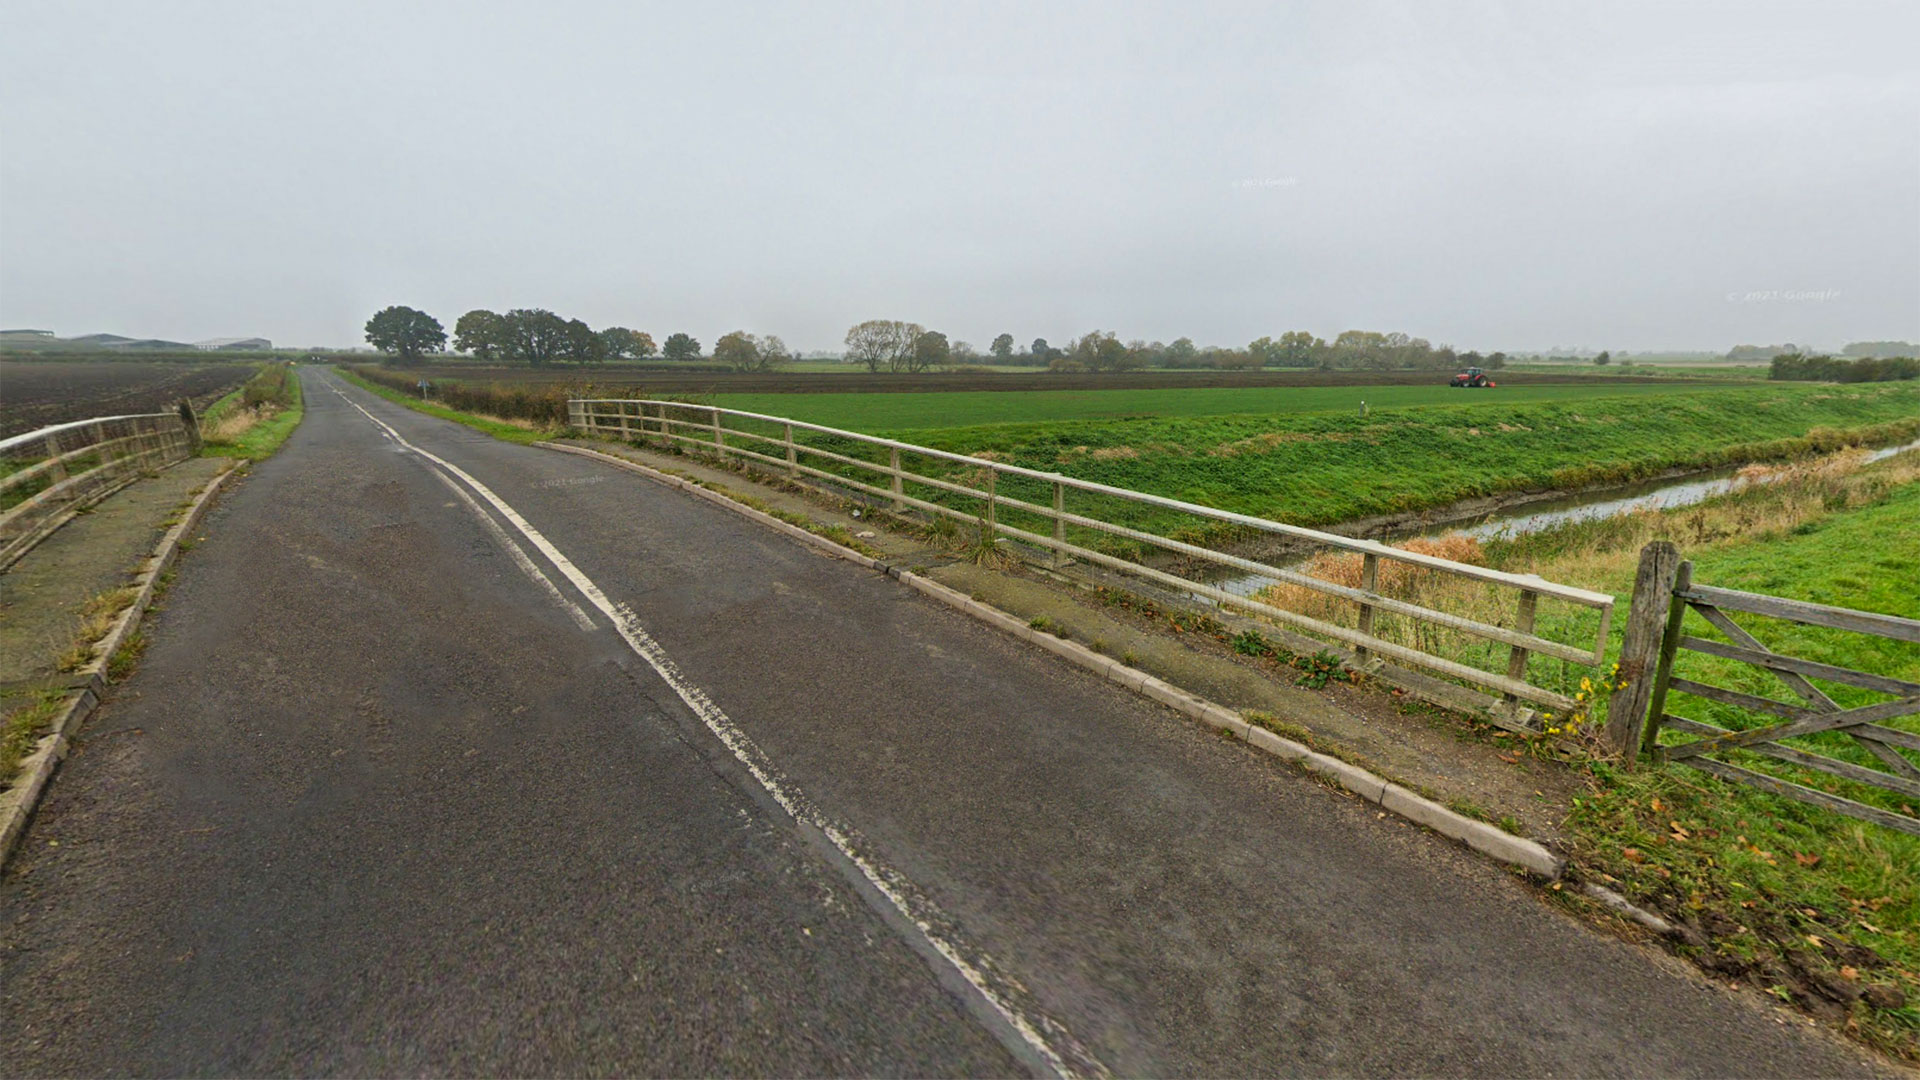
pixel 1324 468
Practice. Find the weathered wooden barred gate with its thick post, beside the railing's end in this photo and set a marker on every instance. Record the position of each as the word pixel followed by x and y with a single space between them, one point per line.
pixel 1852 745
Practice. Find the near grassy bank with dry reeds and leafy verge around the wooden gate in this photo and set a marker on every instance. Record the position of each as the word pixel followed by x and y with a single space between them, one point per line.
pixel 1806 904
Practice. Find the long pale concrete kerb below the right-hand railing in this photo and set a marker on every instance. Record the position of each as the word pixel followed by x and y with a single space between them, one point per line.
pixel 1481 837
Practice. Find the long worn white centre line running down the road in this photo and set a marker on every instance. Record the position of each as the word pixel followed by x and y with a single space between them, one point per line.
pixel 884 879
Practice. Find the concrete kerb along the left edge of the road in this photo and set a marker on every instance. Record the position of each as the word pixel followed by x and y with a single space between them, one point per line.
pixel 37 770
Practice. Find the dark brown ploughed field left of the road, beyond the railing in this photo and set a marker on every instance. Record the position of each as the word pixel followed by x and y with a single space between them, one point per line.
pixel 37 395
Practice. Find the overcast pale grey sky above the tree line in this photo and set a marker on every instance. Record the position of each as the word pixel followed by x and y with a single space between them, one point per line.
pixel 1489 176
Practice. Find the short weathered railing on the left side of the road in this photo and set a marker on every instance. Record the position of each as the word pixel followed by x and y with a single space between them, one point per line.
pixel 78 464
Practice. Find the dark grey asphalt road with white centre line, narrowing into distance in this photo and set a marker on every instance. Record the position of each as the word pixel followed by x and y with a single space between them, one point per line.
pixel 456 756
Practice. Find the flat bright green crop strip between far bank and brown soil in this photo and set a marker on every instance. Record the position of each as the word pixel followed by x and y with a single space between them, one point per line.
pixel 971 408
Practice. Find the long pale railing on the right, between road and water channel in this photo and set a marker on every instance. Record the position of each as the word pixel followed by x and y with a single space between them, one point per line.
pixel 708 428
